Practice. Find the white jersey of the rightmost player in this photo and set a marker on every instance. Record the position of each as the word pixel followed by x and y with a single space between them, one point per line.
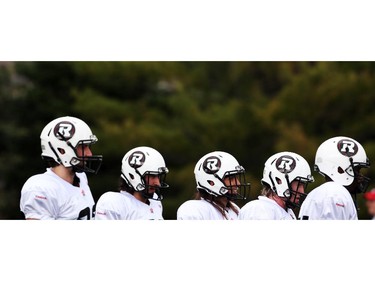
pixel 329 201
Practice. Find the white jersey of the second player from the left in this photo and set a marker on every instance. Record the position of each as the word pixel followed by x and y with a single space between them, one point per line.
pixel 124 206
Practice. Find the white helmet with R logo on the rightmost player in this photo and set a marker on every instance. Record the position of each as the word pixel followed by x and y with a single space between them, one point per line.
pixel 340 159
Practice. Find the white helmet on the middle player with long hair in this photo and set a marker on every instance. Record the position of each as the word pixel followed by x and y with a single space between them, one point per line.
pixel 211 170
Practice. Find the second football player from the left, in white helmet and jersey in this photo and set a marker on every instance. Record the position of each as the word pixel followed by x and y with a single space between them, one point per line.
pixel 143 174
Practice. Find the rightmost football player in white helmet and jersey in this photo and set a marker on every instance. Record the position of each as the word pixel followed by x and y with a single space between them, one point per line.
pixel 339 160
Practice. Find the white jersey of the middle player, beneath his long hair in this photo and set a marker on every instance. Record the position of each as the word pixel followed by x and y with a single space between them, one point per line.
pixel 204 210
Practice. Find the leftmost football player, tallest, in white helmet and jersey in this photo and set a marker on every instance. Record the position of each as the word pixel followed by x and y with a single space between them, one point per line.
pixel 62 192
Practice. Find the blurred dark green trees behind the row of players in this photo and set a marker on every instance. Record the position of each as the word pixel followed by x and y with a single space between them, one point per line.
pixel 184 110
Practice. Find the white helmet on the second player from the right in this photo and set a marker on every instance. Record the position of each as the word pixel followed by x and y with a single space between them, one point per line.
pixel 280 170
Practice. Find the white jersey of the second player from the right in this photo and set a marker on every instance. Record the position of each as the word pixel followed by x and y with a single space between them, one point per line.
pixel 265 208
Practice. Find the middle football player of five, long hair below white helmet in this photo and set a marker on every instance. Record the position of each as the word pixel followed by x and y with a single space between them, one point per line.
pixel 220 180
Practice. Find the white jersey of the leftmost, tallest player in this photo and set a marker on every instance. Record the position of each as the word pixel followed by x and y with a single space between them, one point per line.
pixel 47 196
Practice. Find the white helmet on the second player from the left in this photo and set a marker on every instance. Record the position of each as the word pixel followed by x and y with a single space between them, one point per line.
pixel 142 161
